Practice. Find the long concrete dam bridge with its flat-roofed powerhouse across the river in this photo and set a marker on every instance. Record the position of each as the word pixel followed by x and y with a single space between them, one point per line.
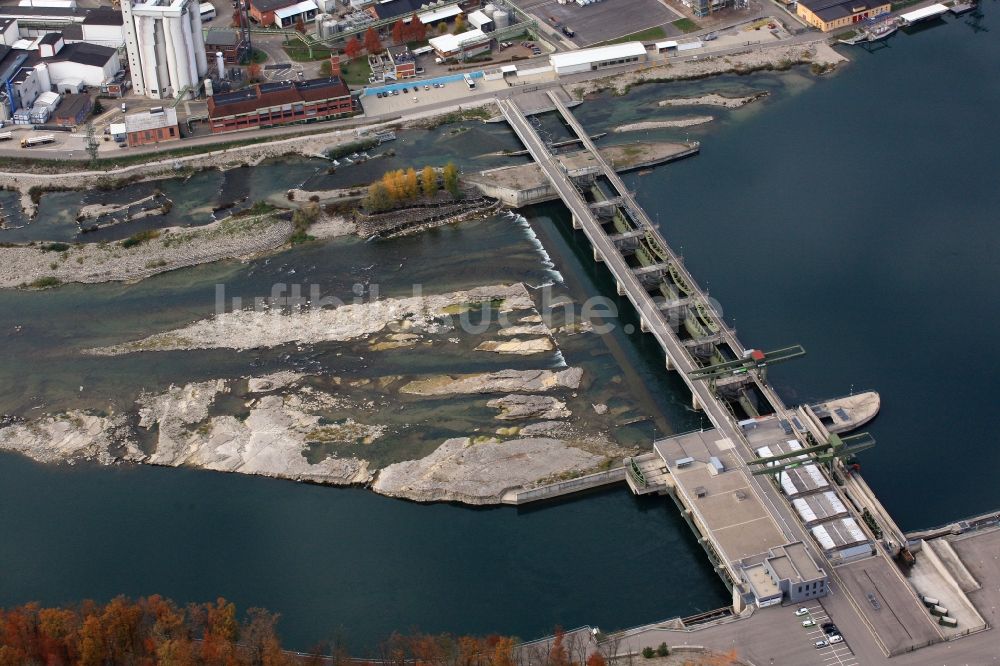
pixel 857 537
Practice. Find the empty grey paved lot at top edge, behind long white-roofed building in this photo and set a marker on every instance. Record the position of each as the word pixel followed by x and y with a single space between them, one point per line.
pixel 602 21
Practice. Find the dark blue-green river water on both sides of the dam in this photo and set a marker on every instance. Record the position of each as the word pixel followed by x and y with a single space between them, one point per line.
pixel 854 214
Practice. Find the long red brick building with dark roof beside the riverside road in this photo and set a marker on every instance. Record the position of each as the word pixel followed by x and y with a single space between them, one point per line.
pixel 284 103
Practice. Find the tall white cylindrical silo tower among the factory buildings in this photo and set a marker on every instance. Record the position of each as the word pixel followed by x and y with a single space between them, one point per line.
pixel 165 45
